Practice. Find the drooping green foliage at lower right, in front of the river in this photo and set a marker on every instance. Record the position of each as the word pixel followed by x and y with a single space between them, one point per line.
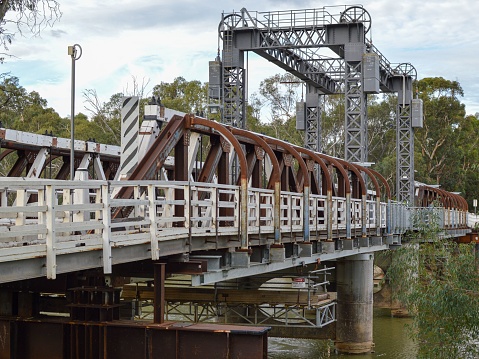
pixel 436 280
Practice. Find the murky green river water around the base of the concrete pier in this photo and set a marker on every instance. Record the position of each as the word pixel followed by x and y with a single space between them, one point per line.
pixel 390 337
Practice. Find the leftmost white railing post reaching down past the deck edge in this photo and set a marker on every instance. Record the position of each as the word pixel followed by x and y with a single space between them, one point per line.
pixel 51 260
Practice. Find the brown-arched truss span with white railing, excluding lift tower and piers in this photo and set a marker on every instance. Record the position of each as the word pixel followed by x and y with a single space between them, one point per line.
pixel 278 212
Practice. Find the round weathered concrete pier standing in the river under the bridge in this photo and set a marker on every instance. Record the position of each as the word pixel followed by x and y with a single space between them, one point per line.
pixel 354 310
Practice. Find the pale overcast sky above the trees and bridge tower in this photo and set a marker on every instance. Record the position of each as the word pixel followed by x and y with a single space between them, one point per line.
pixel 161 40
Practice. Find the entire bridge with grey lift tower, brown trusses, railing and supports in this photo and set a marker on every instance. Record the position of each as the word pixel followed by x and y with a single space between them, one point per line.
pixel 214 201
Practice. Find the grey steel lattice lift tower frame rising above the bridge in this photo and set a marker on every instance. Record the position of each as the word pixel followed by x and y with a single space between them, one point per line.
pixel 296 41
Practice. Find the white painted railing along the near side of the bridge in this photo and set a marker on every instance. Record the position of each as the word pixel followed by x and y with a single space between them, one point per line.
pixel 48 218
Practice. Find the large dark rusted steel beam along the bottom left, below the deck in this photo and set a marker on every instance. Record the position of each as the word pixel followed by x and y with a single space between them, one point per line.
pixel 62 338
